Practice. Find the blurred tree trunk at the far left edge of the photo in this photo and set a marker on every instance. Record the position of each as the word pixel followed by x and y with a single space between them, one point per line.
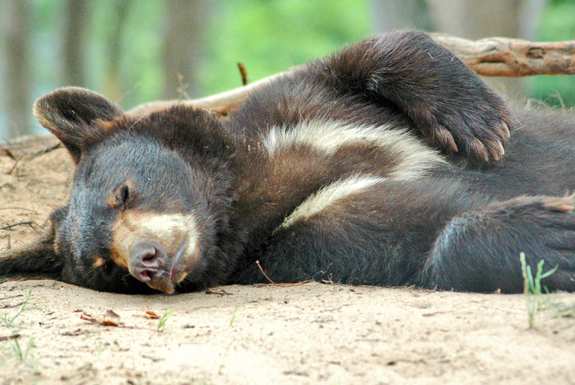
pixel 16 22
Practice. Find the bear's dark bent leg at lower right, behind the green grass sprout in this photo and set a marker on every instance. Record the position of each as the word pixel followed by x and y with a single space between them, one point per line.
pixel 480 250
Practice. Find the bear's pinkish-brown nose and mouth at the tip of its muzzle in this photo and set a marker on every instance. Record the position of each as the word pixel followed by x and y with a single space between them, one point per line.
pixel 149 263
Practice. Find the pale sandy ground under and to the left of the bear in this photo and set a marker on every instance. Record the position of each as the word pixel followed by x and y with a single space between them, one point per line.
pixel 53 333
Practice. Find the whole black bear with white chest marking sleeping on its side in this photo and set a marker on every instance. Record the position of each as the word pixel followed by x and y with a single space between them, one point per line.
pixel 389 163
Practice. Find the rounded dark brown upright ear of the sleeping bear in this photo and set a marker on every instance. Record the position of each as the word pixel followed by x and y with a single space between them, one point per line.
pixel 72 114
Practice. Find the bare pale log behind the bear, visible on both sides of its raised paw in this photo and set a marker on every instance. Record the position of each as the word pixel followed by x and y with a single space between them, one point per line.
pixel 495 56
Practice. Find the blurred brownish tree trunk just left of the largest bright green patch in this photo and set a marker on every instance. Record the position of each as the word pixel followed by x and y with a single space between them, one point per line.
pixel 184 37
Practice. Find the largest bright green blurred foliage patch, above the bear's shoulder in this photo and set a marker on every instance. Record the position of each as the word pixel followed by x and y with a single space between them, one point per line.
pixel 269 36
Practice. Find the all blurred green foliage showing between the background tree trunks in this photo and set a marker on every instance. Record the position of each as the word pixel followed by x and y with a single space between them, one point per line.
pixel 268 36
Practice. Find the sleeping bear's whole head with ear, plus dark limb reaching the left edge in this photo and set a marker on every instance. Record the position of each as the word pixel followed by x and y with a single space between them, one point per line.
pixel 150 198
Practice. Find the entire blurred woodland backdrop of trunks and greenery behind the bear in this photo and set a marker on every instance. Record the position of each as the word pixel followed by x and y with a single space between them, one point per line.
pixel 135 51
